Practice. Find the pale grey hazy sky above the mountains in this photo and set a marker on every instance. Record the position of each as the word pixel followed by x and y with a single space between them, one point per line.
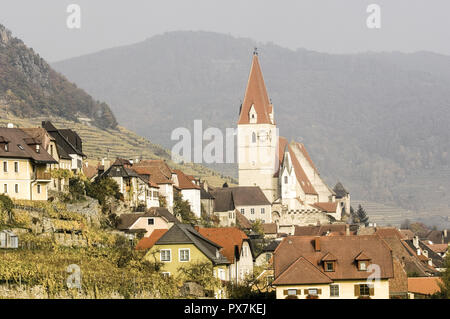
pixel 335 26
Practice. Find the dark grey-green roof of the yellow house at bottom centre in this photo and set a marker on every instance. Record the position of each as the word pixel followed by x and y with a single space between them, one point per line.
pixel 186 234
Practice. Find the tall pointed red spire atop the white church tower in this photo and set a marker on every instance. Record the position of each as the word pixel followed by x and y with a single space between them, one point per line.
pixel 256 107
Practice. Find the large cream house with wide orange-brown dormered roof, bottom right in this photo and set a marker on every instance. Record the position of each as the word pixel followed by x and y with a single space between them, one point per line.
pixel 313 267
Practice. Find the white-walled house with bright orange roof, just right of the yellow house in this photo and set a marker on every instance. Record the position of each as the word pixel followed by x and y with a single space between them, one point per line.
pixel 235 247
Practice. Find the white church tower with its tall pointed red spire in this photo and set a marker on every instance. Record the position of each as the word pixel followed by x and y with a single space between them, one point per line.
pixel 257 136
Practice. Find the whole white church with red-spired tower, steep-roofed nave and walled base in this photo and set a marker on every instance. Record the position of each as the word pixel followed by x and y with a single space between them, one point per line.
pixel 283 170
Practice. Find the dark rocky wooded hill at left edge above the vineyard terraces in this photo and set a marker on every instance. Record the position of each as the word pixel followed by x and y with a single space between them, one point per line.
pixel 29 87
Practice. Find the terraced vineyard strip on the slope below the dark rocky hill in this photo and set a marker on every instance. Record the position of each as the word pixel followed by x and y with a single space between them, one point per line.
pixel 98 144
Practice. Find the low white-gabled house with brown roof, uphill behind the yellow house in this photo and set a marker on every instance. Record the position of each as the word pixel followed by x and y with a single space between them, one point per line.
pixel 145 223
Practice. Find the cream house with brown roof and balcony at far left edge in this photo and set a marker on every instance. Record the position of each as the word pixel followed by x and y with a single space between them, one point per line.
pixel 25 170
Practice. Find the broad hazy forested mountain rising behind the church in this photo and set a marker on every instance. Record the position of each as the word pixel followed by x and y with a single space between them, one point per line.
pixel 378 122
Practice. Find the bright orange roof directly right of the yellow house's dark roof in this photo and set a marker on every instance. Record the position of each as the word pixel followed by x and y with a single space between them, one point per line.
pixel 227 237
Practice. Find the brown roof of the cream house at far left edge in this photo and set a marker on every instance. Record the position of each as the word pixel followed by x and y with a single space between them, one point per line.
pixel 22 145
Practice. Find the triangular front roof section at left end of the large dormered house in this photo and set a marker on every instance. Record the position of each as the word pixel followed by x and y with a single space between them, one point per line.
pixel 302 271
